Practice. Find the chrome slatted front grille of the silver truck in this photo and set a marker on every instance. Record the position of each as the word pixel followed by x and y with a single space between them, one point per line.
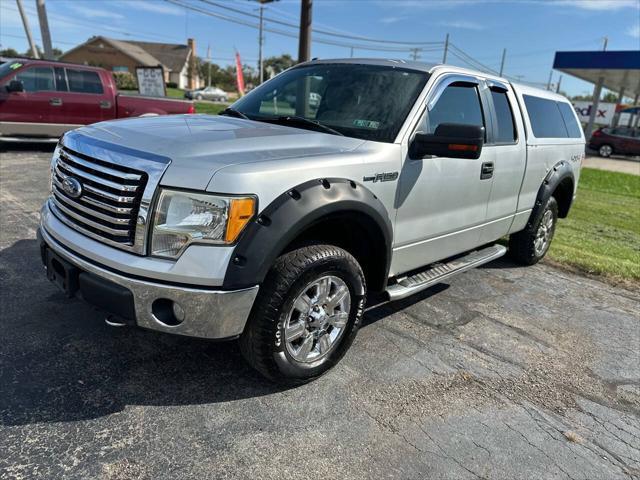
pixel 108 204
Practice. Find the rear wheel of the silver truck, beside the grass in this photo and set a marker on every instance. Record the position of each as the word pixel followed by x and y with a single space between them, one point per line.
pixel 531 244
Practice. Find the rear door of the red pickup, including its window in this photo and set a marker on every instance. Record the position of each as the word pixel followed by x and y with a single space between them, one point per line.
pixel 86 99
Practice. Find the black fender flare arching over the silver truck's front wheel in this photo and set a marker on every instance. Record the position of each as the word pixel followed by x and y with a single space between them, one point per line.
pixel 290 214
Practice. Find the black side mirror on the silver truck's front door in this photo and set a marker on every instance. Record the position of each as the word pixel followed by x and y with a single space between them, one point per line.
pixel 449 140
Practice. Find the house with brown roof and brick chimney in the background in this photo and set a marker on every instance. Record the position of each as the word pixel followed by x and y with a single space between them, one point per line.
pixel 126 55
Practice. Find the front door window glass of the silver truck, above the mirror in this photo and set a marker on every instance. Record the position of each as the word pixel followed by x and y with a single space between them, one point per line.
pixel 457 104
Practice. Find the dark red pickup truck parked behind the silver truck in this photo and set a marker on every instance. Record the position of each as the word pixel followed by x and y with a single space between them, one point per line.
pixel 43 99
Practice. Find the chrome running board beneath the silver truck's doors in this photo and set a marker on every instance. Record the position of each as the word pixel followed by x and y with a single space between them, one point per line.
pixel 439 272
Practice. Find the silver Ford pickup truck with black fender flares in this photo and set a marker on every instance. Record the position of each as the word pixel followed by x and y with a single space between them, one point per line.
pixel 271 222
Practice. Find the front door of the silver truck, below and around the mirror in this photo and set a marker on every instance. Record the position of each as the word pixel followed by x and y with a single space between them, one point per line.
pixel 442 202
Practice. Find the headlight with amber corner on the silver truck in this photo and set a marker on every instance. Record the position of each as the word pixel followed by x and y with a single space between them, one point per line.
pixel 182 218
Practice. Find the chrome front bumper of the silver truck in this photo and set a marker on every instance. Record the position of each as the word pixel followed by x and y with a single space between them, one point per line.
pixel 208 313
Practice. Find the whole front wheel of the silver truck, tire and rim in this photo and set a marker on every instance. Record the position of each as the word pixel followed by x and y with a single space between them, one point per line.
pixel 306 314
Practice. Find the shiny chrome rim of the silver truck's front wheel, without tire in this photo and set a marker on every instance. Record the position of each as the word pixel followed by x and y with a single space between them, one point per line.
pixel 317 319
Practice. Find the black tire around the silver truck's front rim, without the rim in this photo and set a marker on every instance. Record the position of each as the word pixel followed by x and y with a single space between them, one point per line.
pixel 262 342
